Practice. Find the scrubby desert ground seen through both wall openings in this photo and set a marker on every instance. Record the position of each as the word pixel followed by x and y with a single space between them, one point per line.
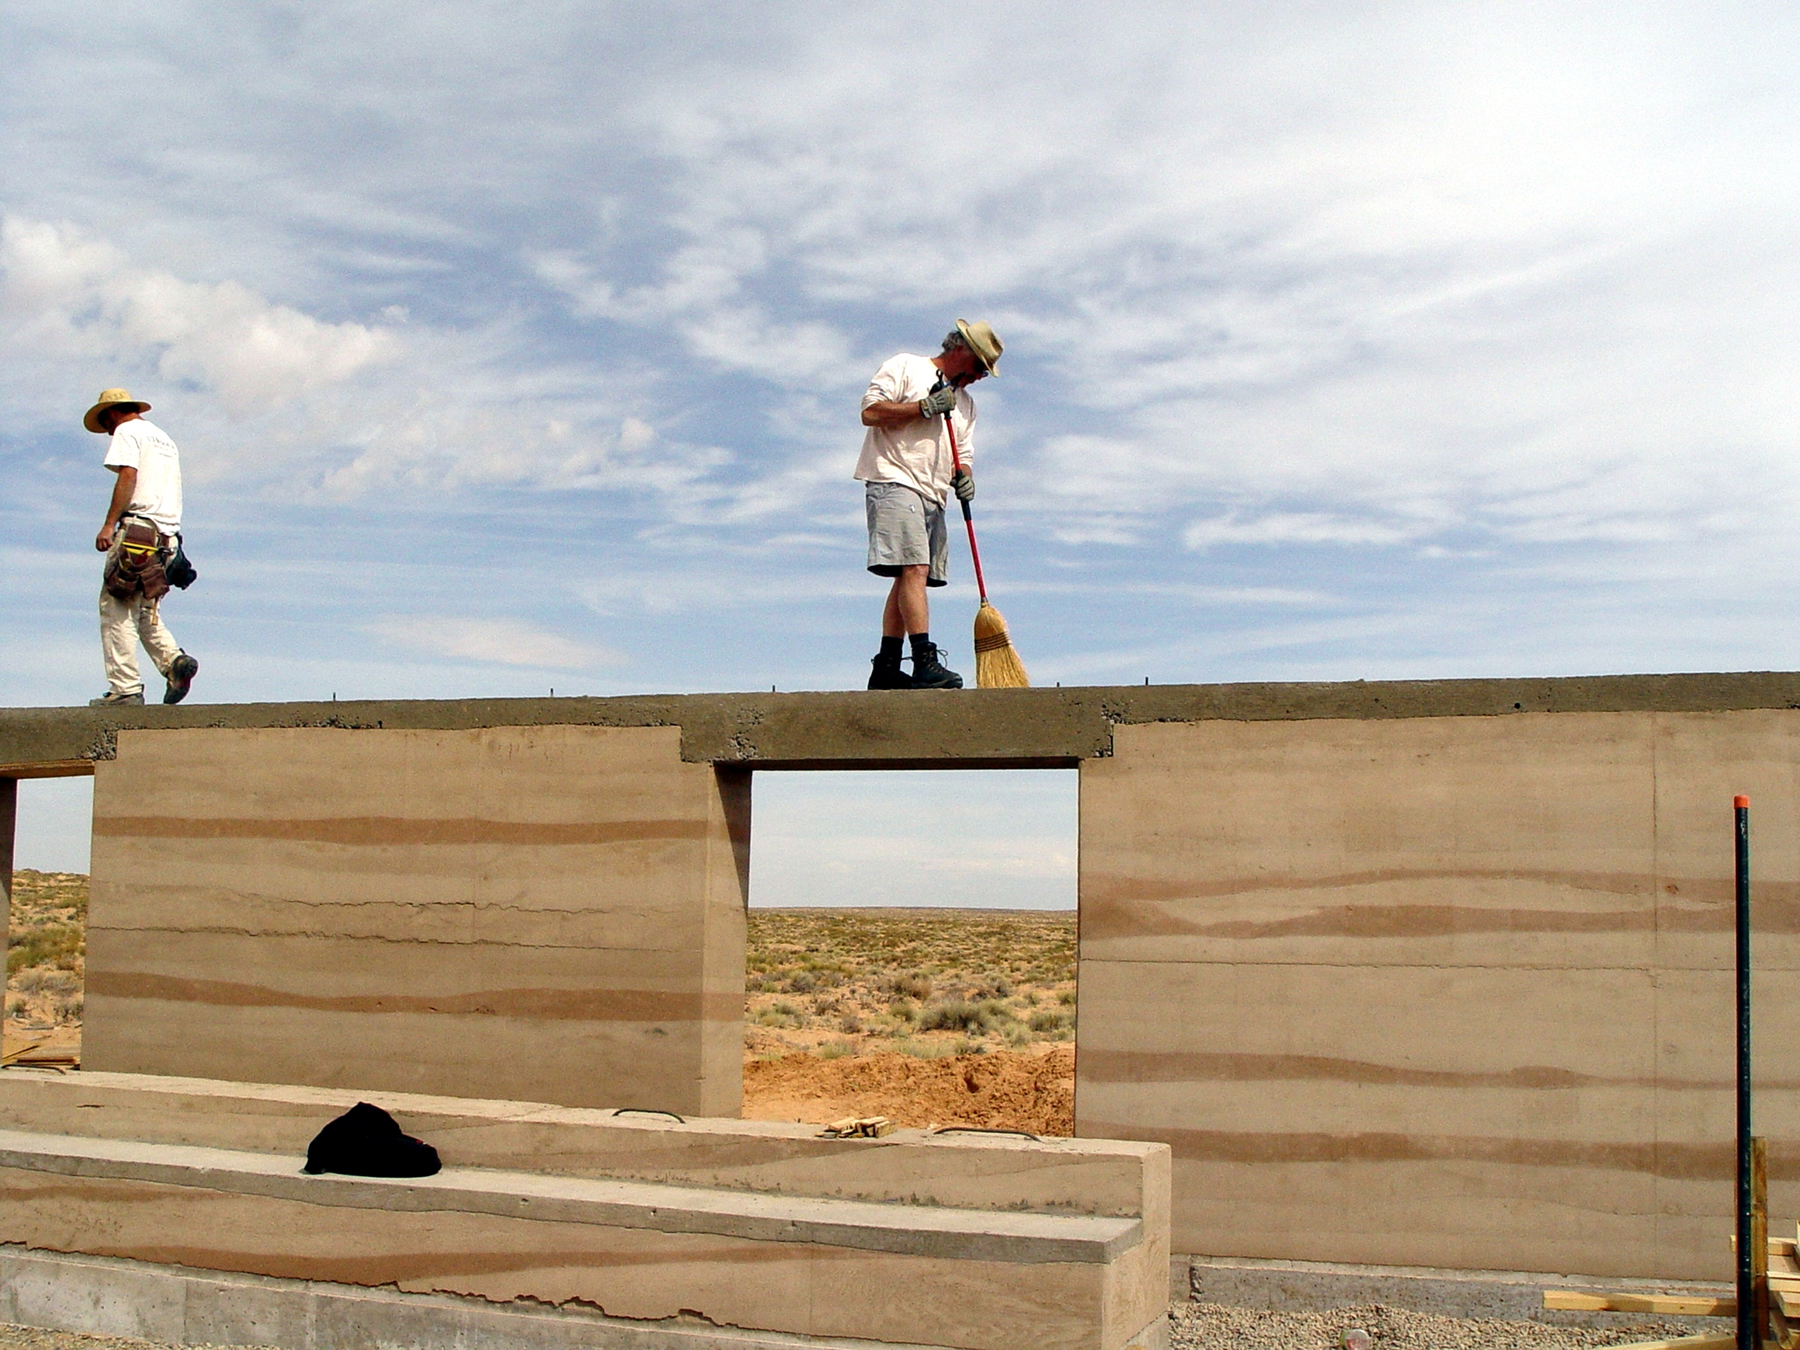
pixel 924 1016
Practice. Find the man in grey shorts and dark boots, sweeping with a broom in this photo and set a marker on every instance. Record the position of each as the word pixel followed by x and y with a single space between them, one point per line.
pixel 908 469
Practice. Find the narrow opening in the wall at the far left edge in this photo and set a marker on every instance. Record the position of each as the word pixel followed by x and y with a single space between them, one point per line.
pixel 46 960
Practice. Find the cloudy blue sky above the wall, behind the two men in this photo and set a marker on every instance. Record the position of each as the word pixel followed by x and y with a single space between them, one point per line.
pixel 519 346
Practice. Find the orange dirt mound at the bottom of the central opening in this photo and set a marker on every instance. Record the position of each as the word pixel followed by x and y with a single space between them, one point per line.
pixel 1002 1090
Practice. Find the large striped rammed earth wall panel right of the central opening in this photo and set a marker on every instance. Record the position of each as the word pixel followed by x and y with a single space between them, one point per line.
pixel 1448 993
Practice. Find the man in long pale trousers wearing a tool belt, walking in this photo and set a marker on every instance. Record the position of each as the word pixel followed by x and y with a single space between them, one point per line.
pixel 139 537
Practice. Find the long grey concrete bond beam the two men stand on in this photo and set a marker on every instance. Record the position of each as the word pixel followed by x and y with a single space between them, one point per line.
pixel 940 730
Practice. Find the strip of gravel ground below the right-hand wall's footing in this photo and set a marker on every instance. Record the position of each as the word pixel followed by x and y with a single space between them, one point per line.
pixel 1214 1327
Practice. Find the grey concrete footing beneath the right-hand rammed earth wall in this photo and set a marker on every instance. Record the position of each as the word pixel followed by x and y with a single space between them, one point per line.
pixel 1318 1286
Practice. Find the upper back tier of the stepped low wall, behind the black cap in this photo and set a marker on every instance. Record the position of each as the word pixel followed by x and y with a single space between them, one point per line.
pixel 1104 1178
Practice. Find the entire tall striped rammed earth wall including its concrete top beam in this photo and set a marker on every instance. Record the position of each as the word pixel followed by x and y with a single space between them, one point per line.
pixel 1410 975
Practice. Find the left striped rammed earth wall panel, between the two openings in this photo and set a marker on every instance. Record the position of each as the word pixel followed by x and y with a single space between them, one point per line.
pixel 550 913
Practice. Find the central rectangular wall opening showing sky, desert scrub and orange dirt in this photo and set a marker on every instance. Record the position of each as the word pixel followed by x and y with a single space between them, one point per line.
pixel 912 948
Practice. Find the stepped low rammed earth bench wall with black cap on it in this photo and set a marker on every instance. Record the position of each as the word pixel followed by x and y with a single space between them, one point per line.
pixel 742 1225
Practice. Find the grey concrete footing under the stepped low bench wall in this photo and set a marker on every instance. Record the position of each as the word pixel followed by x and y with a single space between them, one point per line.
pixel 175 1306
